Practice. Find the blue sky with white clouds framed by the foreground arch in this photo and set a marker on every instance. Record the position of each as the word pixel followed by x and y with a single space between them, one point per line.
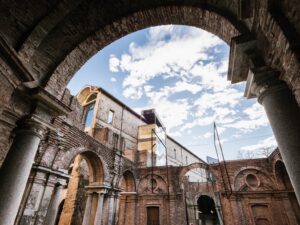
pixel 181 71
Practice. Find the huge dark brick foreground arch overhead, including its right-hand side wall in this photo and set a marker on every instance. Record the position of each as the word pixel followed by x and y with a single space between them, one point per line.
pixel 77 24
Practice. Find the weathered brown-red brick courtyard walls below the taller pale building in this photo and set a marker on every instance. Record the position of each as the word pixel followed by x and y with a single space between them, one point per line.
pixel 135 189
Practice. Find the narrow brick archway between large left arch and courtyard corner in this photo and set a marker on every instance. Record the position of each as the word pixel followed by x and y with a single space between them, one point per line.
pixel 127 204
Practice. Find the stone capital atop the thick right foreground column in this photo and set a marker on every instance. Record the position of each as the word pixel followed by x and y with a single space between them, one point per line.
pixel 263 81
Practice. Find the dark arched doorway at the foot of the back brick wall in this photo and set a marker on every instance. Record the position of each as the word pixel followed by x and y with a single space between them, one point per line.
pixel 207 211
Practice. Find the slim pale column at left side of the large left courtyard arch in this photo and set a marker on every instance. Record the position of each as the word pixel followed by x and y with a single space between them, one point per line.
pixel 53 208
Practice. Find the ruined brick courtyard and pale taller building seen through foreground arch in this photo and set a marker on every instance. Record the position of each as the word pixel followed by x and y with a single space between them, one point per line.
pixel 109 165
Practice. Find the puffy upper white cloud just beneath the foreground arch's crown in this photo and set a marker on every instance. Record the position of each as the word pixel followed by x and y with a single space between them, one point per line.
pixel 163 57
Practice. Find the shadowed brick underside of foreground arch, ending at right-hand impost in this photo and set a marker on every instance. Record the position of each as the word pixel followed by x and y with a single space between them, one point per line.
pixel 59 41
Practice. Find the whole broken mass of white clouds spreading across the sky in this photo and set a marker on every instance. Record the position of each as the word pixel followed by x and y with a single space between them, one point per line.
pixel 196 91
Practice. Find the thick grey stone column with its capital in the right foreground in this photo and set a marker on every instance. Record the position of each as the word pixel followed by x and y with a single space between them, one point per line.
pixel 284 116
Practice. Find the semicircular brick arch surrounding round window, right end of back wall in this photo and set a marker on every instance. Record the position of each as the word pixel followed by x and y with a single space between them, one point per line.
pixel 265 181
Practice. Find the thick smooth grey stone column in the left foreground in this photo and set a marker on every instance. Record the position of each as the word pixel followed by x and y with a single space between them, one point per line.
pixel 16 169
